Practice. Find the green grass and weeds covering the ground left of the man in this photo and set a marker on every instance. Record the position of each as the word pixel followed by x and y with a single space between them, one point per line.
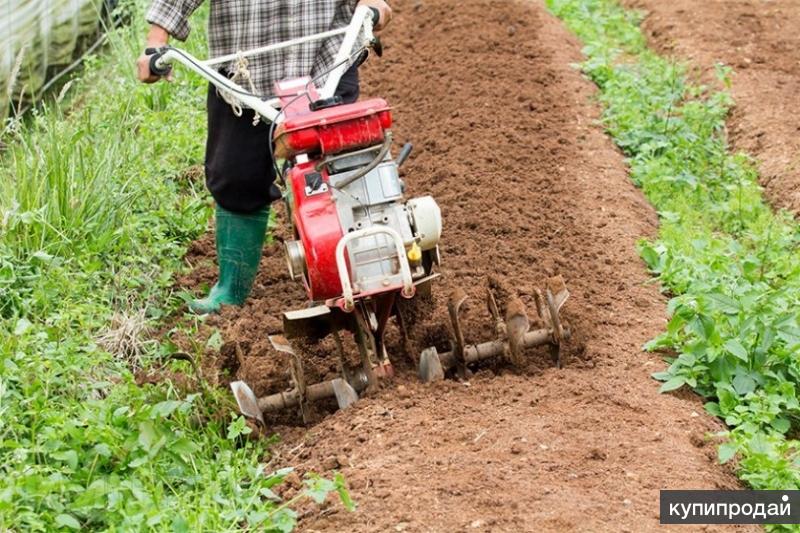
pixel 94 222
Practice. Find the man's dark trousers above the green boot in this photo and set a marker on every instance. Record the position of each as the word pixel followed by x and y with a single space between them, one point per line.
pixel 239 169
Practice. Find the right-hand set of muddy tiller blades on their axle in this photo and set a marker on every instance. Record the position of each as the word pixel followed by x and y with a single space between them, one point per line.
pixel 513 333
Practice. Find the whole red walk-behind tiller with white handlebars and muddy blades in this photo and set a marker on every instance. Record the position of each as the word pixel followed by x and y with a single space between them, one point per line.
pixel 360 247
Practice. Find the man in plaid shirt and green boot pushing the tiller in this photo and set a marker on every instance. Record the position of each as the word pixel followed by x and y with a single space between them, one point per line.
pixel 239 170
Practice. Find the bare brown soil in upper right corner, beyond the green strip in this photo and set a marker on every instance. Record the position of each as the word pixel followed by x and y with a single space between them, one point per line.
pixel 761 41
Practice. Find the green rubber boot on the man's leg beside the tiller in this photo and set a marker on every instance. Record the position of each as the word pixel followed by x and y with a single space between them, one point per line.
pixel 240 239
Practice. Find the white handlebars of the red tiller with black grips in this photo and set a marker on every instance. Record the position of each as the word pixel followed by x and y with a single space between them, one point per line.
pixel 364 18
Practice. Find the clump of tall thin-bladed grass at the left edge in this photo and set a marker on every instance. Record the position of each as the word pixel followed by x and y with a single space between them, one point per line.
pixel 58 195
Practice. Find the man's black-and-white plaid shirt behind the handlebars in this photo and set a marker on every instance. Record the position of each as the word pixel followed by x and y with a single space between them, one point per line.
pixel 238 25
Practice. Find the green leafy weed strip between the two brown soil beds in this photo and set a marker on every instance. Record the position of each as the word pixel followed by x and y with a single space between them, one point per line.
pixel 730 261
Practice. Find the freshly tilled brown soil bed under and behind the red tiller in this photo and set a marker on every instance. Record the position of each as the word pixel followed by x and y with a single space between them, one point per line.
pixel 529 187
